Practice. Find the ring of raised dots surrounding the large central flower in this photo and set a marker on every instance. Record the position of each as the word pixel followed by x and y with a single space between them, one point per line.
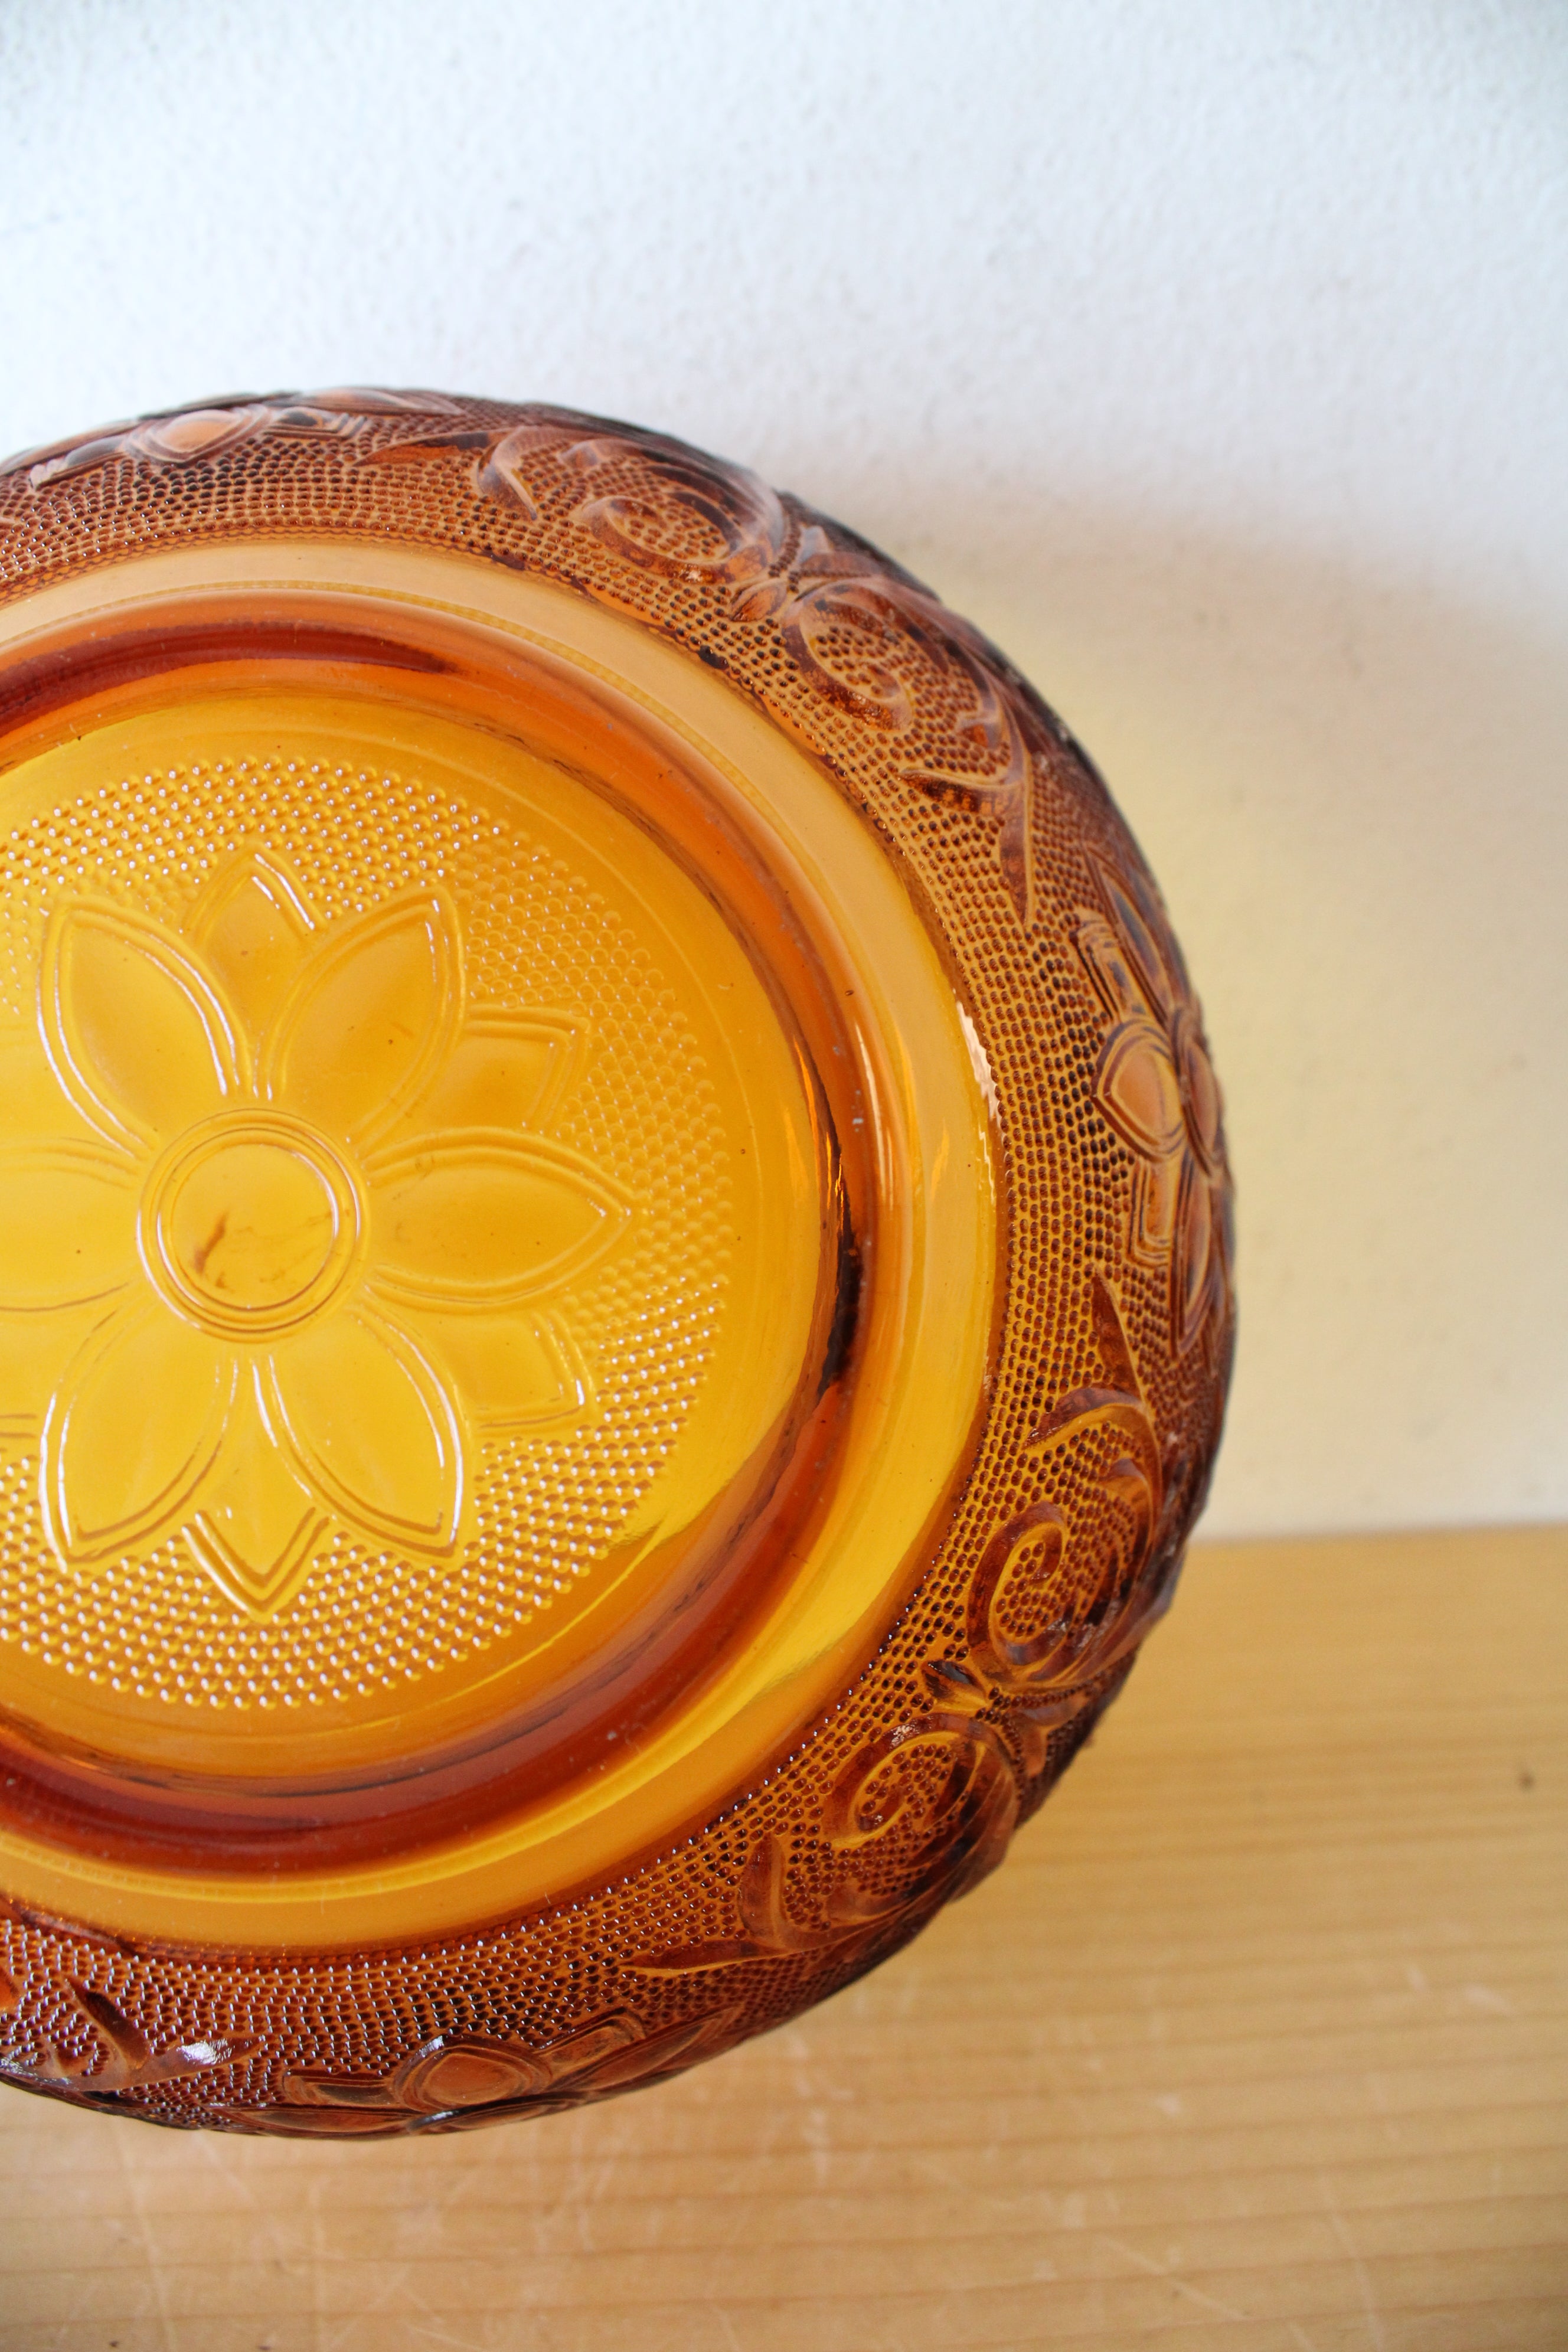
pixel 547 1504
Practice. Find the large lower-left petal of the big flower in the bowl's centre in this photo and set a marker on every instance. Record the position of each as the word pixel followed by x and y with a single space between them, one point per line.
pixel 130 1434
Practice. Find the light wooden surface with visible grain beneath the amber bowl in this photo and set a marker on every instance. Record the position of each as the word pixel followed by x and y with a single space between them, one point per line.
pixel 1259 2040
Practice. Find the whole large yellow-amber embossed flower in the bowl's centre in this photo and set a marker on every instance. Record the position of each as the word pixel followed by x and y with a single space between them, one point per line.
pixel 297 1191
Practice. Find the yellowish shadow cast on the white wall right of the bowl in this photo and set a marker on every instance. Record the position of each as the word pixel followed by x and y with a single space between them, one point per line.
pixel 1353 794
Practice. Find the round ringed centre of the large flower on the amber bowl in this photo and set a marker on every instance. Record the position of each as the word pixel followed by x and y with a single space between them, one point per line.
pixel 250 1224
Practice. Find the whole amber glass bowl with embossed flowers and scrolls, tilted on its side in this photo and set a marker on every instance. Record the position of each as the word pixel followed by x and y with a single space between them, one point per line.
pixel 615 1262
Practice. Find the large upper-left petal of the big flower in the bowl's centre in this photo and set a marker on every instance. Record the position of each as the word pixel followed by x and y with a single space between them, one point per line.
pixel 135 1029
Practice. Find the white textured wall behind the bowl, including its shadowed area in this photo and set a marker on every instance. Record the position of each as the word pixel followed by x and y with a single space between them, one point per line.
pixel 1209 352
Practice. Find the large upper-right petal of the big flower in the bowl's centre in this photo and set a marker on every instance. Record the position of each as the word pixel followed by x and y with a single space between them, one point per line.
pixel 373 1017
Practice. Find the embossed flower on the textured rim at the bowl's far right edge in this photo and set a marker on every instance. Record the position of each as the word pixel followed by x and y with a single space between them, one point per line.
pixel 1158 1090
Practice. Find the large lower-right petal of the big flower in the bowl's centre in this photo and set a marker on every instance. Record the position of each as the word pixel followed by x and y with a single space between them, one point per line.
pixel 373 1429
